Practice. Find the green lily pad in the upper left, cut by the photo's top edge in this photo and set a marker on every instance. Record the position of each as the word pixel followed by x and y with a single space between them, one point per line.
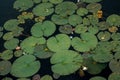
pixel 22 5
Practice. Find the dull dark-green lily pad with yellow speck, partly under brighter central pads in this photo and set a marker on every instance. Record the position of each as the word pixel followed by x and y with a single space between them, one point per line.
pixel 42 52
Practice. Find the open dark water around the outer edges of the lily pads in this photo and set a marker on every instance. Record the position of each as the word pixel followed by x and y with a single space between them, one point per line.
pixel 7 12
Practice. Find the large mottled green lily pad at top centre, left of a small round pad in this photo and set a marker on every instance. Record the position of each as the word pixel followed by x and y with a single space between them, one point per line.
pixel 66 8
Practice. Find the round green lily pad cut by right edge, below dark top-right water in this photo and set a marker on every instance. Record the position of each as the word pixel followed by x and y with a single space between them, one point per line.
pixel 113 20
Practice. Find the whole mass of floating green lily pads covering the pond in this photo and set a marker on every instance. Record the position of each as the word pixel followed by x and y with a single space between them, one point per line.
pixel 69 34
